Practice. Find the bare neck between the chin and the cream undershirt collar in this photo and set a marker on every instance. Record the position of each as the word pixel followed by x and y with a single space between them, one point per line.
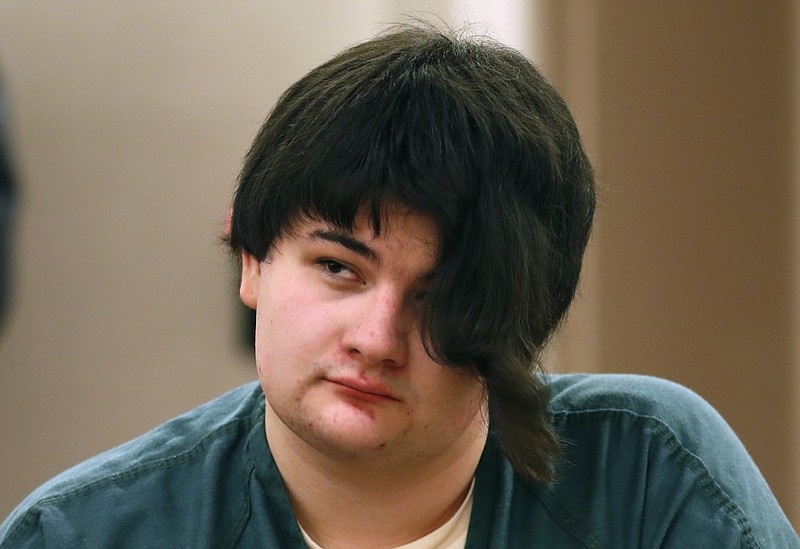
pixel 350 503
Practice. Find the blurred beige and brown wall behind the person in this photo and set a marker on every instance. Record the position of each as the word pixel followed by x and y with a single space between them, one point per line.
pixel 129 122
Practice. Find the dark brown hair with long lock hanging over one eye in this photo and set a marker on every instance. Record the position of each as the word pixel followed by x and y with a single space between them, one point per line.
pixel 469 132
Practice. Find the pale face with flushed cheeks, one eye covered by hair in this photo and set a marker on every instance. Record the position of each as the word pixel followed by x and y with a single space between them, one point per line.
pixel 338 346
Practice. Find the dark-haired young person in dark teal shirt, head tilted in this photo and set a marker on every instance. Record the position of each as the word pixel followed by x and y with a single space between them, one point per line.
pixel 410 222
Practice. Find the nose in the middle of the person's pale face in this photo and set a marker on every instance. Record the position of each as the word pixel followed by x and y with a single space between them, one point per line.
pixel 381 330
